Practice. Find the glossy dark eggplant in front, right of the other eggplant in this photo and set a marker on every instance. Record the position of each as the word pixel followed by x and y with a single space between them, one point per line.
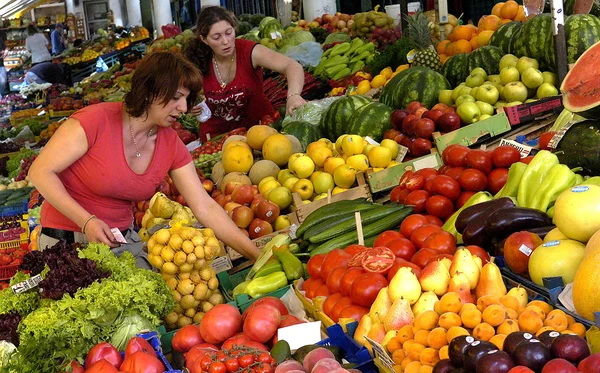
pixel 503 222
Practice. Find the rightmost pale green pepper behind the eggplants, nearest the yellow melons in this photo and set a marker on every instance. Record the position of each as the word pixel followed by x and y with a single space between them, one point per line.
pixel 559 178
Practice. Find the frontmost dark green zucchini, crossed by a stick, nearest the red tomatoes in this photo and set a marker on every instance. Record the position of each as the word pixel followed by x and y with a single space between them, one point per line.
pixel 369 230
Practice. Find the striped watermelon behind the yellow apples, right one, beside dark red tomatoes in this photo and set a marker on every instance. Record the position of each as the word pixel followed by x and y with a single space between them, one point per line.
pixel 370 120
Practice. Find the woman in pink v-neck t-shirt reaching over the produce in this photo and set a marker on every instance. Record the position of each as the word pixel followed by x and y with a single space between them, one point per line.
pixel 109 155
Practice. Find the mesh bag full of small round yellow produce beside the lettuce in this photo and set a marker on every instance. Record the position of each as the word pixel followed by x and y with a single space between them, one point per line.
pixel 183 255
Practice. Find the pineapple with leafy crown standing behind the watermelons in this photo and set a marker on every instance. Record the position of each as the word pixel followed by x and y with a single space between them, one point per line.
pixel 420 33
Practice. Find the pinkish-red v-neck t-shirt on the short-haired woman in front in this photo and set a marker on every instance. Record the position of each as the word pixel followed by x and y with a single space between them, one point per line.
pixel 101 181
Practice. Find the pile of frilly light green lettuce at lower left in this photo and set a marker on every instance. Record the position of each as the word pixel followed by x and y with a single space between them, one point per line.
pixel 59 331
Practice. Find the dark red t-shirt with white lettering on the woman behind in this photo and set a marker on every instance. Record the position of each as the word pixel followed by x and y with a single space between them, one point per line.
pixel 242 103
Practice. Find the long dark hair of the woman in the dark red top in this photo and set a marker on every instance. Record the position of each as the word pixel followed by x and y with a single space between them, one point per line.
pixel 196 50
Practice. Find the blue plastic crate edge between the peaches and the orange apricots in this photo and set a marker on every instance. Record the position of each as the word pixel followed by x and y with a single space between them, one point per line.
pixel 355 353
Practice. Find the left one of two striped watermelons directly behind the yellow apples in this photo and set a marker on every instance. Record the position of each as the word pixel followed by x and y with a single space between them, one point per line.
pixel 335 119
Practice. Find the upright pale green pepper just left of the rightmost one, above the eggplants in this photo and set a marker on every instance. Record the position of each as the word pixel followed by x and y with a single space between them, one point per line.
pixel 533 176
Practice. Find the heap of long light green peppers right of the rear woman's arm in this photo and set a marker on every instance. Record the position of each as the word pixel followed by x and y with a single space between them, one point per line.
pixel 345 59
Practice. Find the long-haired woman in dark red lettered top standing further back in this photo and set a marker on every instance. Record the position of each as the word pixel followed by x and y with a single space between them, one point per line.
pixel 232 71
